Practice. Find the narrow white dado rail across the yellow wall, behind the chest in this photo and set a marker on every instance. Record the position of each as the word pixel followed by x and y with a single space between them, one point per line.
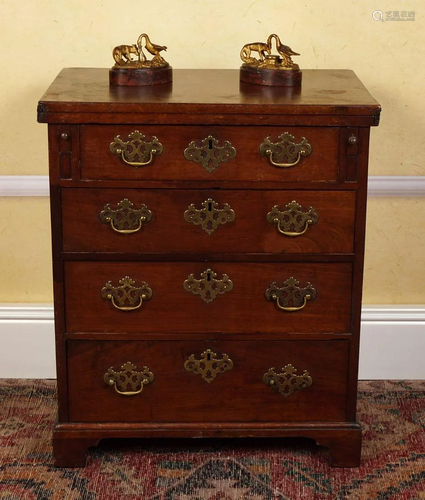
pixel 394 185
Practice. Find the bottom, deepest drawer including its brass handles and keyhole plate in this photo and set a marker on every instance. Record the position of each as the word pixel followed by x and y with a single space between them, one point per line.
pixel 207 381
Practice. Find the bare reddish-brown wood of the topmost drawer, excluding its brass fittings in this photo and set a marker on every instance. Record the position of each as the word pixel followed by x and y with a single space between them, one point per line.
pixel 248 165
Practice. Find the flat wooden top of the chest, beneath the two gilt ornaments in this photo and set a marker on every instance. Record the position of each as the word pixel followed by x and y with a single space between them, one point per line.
pixel 81 91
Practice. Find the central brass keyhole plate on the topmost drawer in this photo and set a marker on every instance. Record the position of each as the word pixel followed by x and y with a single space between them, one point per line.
pixel 208 153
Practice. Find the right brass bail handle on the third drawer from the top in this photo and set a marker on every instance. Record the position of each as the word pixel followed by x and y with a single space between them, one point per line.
pixel 290 297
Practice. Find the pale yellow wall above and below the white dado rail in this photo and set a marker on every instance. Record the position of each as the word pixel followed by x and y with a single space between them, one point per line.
pixel 39 37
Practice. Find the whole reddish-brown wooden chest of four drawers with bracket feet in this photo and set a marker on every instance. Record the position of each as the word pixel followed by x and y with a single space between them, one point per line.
pixel 208 241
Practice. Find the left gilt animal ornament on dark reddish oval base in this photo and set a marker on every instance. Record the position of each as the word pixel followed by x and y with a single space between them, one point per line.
pixel 133 68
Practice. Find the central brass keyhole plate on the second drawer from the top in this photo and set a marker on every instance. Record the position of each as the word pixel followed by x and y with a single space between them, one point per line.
pixel 209 216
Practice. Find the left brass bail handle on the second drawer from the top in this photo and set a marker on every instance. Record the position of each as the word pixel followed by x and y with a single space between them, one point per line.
pixel 125 219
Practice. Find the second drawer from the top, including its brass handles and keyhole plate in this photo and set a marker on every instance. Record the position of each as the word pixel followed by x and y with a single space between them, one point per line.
pixel 185 221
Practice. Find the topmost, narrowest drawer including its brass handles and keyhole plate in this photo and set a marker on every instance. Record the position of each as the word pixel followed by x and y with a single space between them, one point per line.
pixel 238 159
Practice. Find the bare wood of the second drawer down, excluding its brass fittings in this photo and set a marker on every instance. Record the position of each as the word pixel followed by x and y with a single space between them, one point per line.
pixel 168 231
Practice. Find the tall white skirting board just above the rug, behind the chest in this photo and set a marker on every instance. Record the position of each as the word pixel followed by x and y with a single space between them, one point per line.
pixel 392 342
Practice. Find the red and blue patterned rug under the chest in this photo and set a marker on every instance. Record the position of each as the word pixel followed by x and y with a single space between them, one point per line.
pixel 392 414
